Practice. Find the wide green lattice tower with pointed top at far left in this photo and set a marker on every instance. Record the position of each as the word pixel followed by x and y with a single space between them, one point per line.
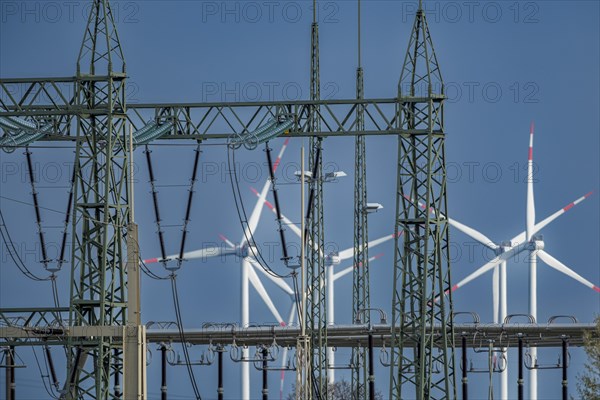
pixel 101 209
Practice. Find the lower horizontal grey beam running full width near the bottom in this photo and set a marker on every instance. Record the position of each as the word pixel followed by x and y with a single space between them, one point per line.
pixel 479 335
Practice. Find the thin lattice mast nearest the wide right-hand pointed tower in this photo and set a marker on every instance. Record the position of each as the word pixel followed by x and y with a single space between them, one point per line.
pixel 360 274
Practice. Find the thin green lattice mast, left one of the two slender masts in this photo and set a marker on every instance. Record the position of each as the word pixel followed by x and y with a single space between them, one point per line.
pixel 316 272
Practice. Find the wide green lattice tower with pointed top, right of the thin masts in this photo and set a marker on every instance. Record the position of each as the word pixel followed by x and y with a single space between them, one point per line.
pixel 421 261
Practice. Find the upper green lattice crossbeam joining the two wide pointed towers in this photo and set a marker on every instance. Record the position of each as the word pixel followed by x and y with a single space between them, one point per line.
pixel 51 103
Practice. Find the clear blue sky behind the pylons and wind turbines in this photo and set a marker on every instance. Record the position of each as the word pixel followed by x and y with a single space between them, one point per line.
pixel 505 64
